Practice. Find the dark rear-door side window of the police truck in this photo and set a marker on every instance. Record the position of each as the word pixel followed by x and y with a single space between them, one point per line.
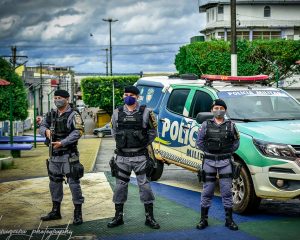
pixel 177 100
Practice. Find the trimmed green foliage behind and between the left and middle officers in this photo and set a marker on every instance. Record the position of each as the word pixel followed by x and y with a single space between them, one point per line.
pixel 97 91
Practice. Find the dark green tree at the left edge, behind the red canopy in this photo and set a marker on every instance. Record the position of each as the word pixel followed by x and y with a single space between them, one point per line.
pixel 20 103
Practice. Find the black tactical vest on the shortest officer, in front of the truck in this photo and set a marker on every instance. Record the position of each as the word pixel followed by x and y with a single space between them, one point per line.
pixel 219 139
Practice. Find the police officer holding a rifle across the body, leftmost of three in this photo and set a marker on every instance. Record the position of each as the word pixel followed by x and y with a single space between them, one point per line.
pixel 63 127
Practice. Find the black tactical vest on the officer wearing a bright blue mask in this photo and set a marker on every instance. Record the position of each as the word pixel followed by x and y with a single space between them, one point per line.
pixel 130 132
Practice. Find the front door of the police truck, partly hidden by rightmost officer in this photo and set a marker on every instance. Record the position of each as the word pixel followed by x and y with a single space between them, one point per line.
pixel 199 101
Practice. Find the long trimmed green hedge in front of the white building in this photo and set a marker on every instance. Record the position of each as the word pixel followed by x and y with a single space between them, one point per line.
pixel 256 57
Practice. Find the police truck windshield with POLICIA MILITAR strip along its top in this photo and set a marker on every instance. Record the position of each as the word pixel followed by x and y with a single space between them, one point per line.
pixel 260 105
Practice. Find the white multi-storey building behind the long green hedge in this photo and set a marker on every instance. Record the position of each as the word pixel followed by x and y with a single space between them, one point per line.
pixel 256 19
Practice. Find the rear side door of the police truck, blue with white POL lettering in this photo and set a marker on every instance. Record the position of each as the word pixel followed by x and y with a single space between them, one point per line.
pixel 169 120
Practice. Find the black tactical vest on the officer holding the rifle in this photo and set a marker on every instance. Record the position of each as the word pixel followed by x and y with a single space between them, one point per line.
pixel 61 131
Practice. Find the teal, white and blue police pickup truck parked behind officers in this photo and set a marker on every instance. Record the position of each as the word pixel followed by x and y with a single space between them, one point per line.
pixel 267 118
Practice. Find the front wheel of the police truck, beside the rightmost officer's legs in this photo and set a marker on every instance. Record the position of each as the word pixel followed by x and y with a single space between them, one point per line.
pixel 244 197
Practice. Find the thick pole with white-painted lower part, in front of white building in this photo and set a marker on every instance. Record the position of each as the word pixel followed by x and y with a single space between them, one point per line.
pixel 233 38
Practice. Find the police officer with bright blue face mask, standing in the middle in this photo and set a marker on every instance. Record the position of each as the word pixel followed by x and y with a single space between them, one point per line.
pixel 134 128
